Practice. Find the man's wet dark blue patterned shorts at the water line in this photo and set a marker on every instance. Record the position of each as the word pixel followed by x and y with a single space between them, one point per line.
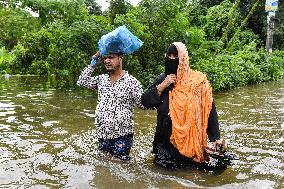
pixel 118 147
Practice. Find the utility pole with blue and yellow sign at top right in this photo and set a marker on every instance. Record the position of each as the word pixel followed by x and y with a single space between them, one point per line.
pixel 270 7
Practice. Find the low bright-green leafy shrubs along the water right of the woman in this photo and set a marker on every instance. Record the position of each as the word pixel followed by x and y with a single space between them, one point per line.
pixel 244 67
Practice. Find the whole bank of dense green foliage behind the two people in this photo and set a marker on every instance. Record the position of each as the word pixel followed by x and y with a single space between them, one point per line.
pixel 60 42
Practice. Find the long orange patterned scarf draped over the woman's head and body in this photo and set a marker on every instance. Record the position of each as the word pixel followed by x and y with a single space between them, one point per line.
pixel 190 103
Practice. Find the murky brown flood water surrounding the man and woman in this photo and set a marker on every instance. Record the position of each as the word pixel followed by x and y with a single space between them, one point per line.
pixel 47 140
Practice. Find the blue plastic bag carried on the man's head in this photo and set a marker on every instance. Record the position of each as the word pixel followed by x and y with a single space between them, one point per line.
pixel 120 40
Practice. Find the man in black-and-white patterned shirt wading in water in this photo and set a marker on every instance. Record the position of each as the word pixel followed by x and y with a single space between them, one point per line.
pixel 118 93
